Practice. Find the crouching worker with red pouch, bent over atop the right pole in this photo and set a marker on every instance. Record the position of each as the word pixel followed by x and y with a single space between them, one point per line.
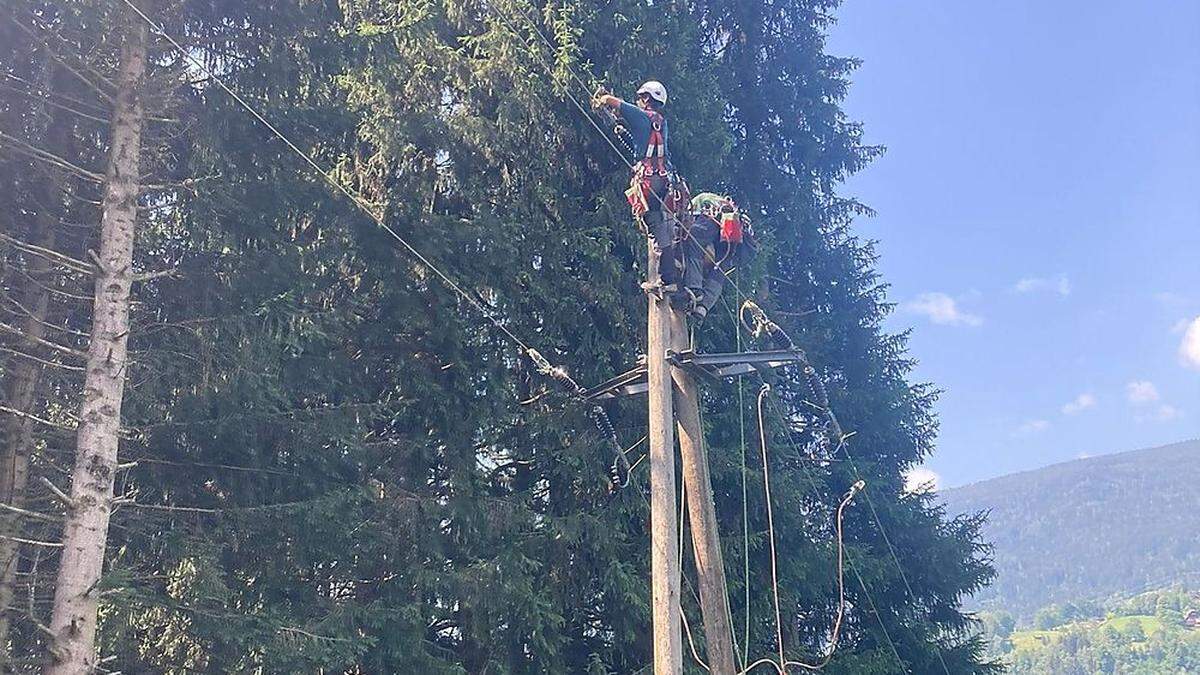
pixel 719 240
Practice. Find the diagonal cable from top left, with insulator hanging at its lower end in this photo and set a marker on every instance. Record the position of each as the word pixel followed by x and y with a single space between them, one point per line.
pixel 620 470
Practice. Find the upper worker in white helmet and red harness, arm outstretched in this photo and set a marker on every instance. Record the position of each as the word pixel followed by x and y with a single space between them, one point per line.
pixel 651 186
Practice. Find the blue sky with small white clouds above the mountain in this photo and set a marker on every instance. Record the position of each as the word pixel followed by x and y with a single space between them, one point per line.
pixel 1039 218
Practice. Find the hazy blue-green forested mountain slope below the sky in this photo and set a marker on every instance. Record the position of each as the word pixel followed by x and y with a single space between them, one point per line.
pixel 1090 529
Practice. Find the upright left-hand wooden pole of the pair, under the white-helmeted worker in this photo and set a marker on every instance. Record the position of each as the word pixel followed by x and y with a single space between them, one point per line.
pixel 664 530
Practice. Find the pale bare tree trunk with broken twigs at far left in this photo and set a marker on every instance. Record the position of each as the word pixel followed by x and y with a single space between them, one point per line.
pixel 86 535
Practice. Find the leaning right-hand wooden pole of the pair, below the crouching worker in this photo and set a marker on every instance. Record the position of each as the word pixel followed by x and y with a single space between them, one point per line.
pixel 706 542
